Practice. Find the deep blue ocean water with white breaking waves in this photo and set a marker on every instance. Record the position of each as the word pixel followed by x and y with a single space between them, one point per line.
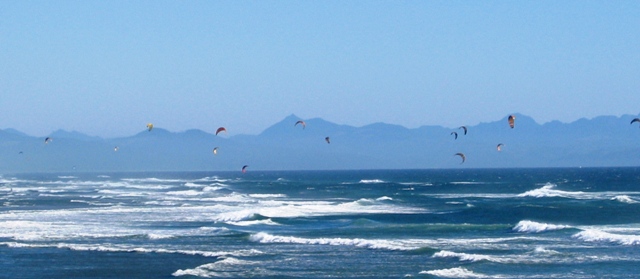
pixel 484 223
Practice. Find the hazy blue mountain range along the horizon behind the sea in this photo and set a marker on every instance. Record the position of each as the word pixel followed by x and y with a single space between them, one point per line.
pixel 599 142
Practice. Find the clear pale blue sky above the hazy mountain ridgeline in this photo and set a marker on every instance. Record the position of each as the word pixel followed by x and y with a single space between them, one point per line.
pixel 107 68
